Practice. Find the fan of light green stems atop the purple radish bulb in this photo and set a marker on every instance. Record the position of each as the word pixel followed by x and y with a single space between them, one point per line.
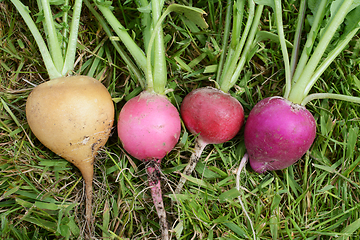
pixel 308 71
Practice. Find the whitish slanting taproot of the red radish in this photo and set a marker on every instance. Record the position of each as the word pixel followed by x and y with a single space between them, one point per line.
pixel 194 159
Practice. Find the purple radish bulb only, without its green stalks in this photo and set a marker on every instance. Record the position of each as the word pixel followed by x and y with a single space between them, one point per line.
pixel 278 133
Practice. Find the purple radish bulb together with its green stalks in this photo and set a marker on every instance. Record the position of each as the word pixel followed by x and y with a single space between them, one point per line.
pixel 279 130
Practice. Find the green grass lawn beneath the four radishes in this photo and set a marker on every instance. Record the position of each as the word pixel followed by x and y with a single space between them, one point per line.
pixel 42 195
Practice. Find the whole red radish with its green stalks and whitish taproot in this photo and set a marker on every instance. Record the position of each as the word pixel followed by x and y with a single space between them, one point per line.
pixel 213 115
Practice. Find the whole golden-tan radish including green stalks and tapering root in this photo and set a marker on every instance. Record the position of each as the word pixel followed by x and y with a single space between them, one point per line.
pixel 72 116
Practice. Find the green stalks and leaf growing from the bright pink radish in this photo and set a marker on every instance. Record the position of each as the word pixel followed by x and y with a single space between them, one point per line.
pixel 152 62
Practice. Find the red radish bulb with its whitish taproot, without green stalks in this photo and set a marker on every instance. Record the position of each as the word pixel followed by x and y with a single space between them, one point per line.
pixel 213 116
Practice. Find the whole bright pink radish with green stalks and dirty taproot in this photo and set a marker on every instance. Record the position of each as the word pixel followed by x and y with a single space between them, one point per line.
pixel 149 125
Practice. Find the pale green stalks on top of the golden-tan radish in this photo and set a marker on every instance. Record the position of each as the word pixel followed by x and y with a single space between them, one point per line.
pixel 59 52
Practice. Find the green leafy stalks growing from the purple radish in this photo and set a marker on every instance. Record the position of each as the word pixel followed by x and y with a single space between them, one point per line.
pixel 333 25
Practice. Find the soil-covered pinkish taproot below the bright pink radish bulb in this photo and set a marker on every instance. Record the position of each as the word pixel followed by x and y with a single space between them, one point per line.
pixel 154 176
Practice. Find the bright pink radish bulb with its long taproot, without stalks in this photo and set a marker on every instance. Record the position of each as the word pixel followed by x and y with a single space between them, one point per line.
pixel 149 127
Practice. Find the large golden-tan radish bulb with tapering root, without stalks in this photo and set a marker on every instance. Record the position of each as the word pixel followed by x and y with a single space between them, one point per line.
pixel 73 117
